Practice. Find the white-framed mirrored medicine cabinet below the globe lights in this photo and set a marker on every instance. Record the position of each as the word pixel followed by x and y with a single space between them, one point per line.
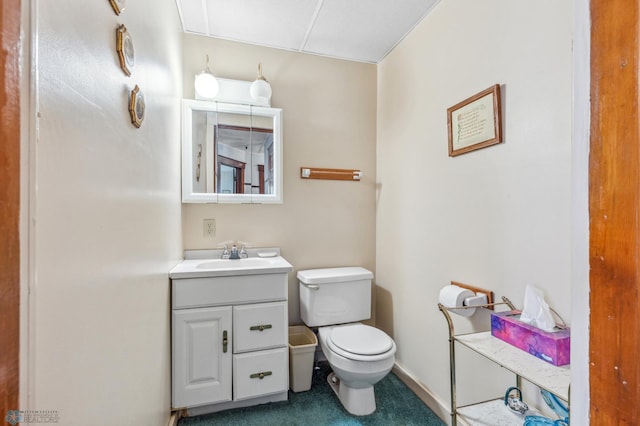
pixel 231 153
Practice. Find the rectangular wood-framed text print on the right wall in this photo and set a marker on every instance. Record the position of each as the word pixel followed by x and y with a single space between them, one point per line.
pixel 476 122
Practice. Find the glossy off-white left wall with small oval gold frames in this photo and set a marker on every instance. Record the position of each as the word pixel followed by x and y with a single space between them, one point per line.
pixel 106 213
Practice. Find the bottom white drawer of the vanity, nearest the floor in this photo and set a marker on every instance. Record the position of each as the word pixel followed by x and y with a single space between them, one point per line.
pixel 260 373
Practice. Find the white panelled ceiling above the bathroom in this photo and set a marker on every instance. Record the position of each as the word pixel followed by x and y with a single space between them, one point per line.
pixel 356 30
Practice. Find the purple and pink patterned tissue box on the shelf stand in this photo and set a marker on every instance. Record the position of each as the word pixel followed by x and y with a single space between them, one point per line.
pixel 552 347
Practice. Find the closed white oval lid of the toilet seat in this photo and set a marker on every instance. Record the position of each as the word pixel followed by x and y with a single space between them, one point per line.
pixel 361 339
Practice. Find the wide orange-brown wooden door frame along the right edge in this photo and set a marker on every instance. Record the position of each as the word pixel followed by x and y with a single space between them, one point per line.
pixel 614 204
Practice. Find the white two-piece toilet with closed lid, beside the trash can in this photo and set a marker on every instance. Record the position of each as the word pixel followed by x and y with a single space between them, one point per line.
pixel 335 299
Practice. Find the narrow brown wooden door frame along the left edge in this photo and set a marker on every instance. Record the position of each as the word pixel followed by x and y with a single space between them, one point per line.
pixel 10 208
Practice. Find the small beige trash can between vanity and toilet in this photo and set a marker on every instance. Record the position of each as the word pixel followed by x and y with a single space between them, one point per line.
pixel 302 348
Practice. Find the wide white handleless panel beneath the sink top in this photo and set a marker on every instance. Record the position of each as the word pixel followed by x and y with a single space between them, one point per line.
pixel 218 291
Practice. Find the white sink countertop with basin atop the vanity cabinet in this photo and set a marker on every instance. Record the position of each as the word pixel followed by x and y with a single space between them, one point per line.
pixel 216 267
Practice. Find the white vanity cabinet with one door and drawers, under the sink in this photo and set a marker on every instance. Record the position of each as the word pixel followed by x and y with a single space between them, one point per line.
pixel 229 340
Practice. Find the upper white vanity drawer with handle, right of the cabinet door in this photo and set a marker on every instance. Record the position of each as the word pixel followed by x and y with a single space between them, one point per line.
pixel 259 326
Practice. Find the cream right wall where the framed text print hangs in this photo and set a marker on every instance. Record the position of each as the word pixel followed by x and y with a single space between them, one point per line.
pixel 498 218
